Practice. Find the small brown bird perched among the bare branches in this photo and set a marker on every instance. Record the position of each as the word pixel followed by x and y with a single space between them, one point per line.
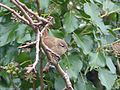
pixel 57 47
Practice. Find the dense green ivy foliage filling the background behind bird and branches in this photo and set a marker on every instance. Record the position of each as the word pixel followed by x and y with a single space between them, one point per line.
pixel 90 27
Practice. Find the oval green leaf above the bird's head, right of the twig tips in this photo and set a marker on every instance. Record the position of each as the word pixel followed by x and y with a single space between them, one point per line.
pixel 70 22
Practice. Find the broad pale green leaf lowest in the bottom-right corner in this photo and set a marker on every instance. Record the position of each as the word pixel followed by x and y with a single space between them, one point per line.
pixel 107 78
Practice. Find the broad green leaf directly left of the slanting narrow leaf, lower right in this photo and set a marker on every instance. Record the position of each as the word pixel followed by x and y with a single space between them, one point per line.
pixel 97 60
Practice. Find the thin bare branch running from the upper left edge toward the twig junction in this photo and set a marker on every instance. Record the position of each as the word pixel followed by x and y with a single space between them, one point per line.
pixel 15 13
